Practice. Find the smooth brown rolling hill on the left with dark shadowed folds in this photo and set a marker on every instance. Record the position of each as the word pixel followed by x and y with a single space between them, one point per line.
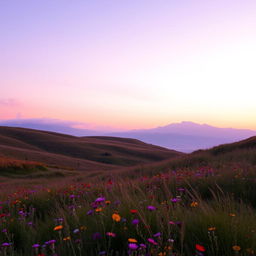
pixel 81 153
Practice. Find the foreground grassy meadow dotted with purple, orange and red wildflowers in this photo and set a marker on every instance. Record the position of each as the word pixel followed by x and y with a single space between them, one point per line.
pixel 187 211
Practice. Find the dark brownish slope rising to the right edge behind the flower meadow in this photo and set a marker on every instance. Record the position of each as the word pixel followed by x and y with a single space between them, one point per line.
pixel 241 154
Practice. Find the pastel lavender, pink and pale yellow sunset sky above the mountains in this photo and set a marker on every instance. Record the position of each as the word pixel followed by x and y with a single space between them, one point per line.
pixel 129 64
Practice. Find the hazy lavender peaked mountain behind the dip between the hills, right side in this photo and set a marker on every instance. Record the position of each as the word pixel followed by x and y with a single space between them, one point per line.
pixel 188 136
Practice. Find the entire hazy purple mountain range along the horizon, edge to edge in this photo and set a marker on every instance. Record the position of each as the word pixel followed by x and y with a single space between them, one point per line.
pixel 183 137
